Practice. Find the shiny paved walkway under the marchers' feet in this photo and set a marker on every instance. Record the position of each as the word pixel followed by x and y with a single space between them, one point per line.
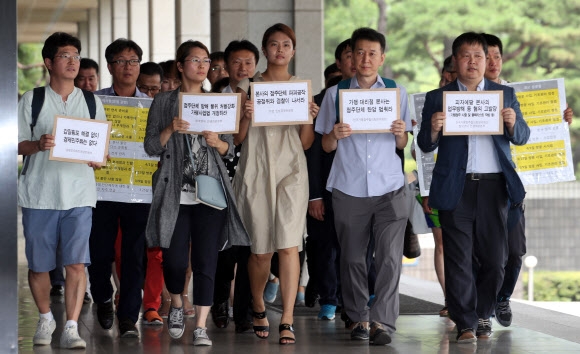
pixel 534 330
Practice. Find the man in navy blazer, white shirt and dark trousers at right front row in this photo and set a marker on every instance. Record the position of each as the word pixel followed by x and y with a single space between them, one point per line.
pixel 472 181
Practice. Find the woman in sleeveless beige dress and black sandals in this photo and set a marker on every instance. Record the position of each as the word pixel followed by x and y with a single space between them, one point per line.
pixel 272 188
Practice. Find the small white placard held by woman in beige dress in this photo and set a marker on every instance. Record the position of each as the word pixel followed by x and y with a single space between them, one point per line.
pixel 281 103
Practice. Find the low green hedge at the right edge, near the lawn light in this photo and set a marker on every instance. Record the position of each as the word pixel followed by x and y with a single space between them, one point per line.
pixel 554 286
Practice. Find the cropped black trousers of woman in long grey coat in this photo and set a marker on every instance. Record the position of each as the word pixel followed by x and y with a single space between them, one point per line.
pixel 202 226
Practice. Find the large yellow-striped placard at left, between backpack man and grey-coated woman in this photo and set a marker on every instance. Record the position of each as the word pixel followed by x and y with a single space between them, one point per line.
pixel 127 176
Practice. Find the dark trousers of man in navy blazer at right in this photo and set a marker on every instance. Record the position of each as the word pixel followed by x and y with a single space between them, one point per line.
pixel 475 251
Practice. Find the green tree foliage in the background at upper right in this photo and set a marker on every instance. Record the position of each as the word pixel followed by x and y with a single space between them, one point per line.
pixel 541 38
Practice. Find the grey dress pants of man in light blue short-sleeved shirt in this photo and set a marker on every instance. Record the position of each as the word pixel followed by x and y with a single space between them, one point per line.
pixel 354 217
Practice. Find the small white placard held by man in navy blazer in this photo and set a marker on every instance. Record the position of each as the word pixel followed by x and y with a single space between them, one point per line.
pixel 473 112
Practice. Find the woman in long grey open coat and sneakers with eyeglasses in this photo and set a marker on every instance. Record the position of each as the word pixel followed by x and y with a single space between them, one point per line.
pixel 176 218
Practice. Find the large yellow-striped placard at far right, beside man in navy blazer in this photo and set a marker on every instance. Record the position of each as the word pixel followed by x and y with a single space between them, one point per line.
pixel 547 156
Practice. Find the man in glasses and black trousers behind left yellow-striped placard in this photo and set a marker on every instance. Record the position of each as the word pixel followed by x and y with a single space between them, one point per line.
pixel 123 58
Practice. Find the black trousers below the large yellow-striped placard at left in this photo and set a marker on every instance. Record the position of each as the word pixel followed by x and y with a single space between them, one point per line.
pixel 132 218
